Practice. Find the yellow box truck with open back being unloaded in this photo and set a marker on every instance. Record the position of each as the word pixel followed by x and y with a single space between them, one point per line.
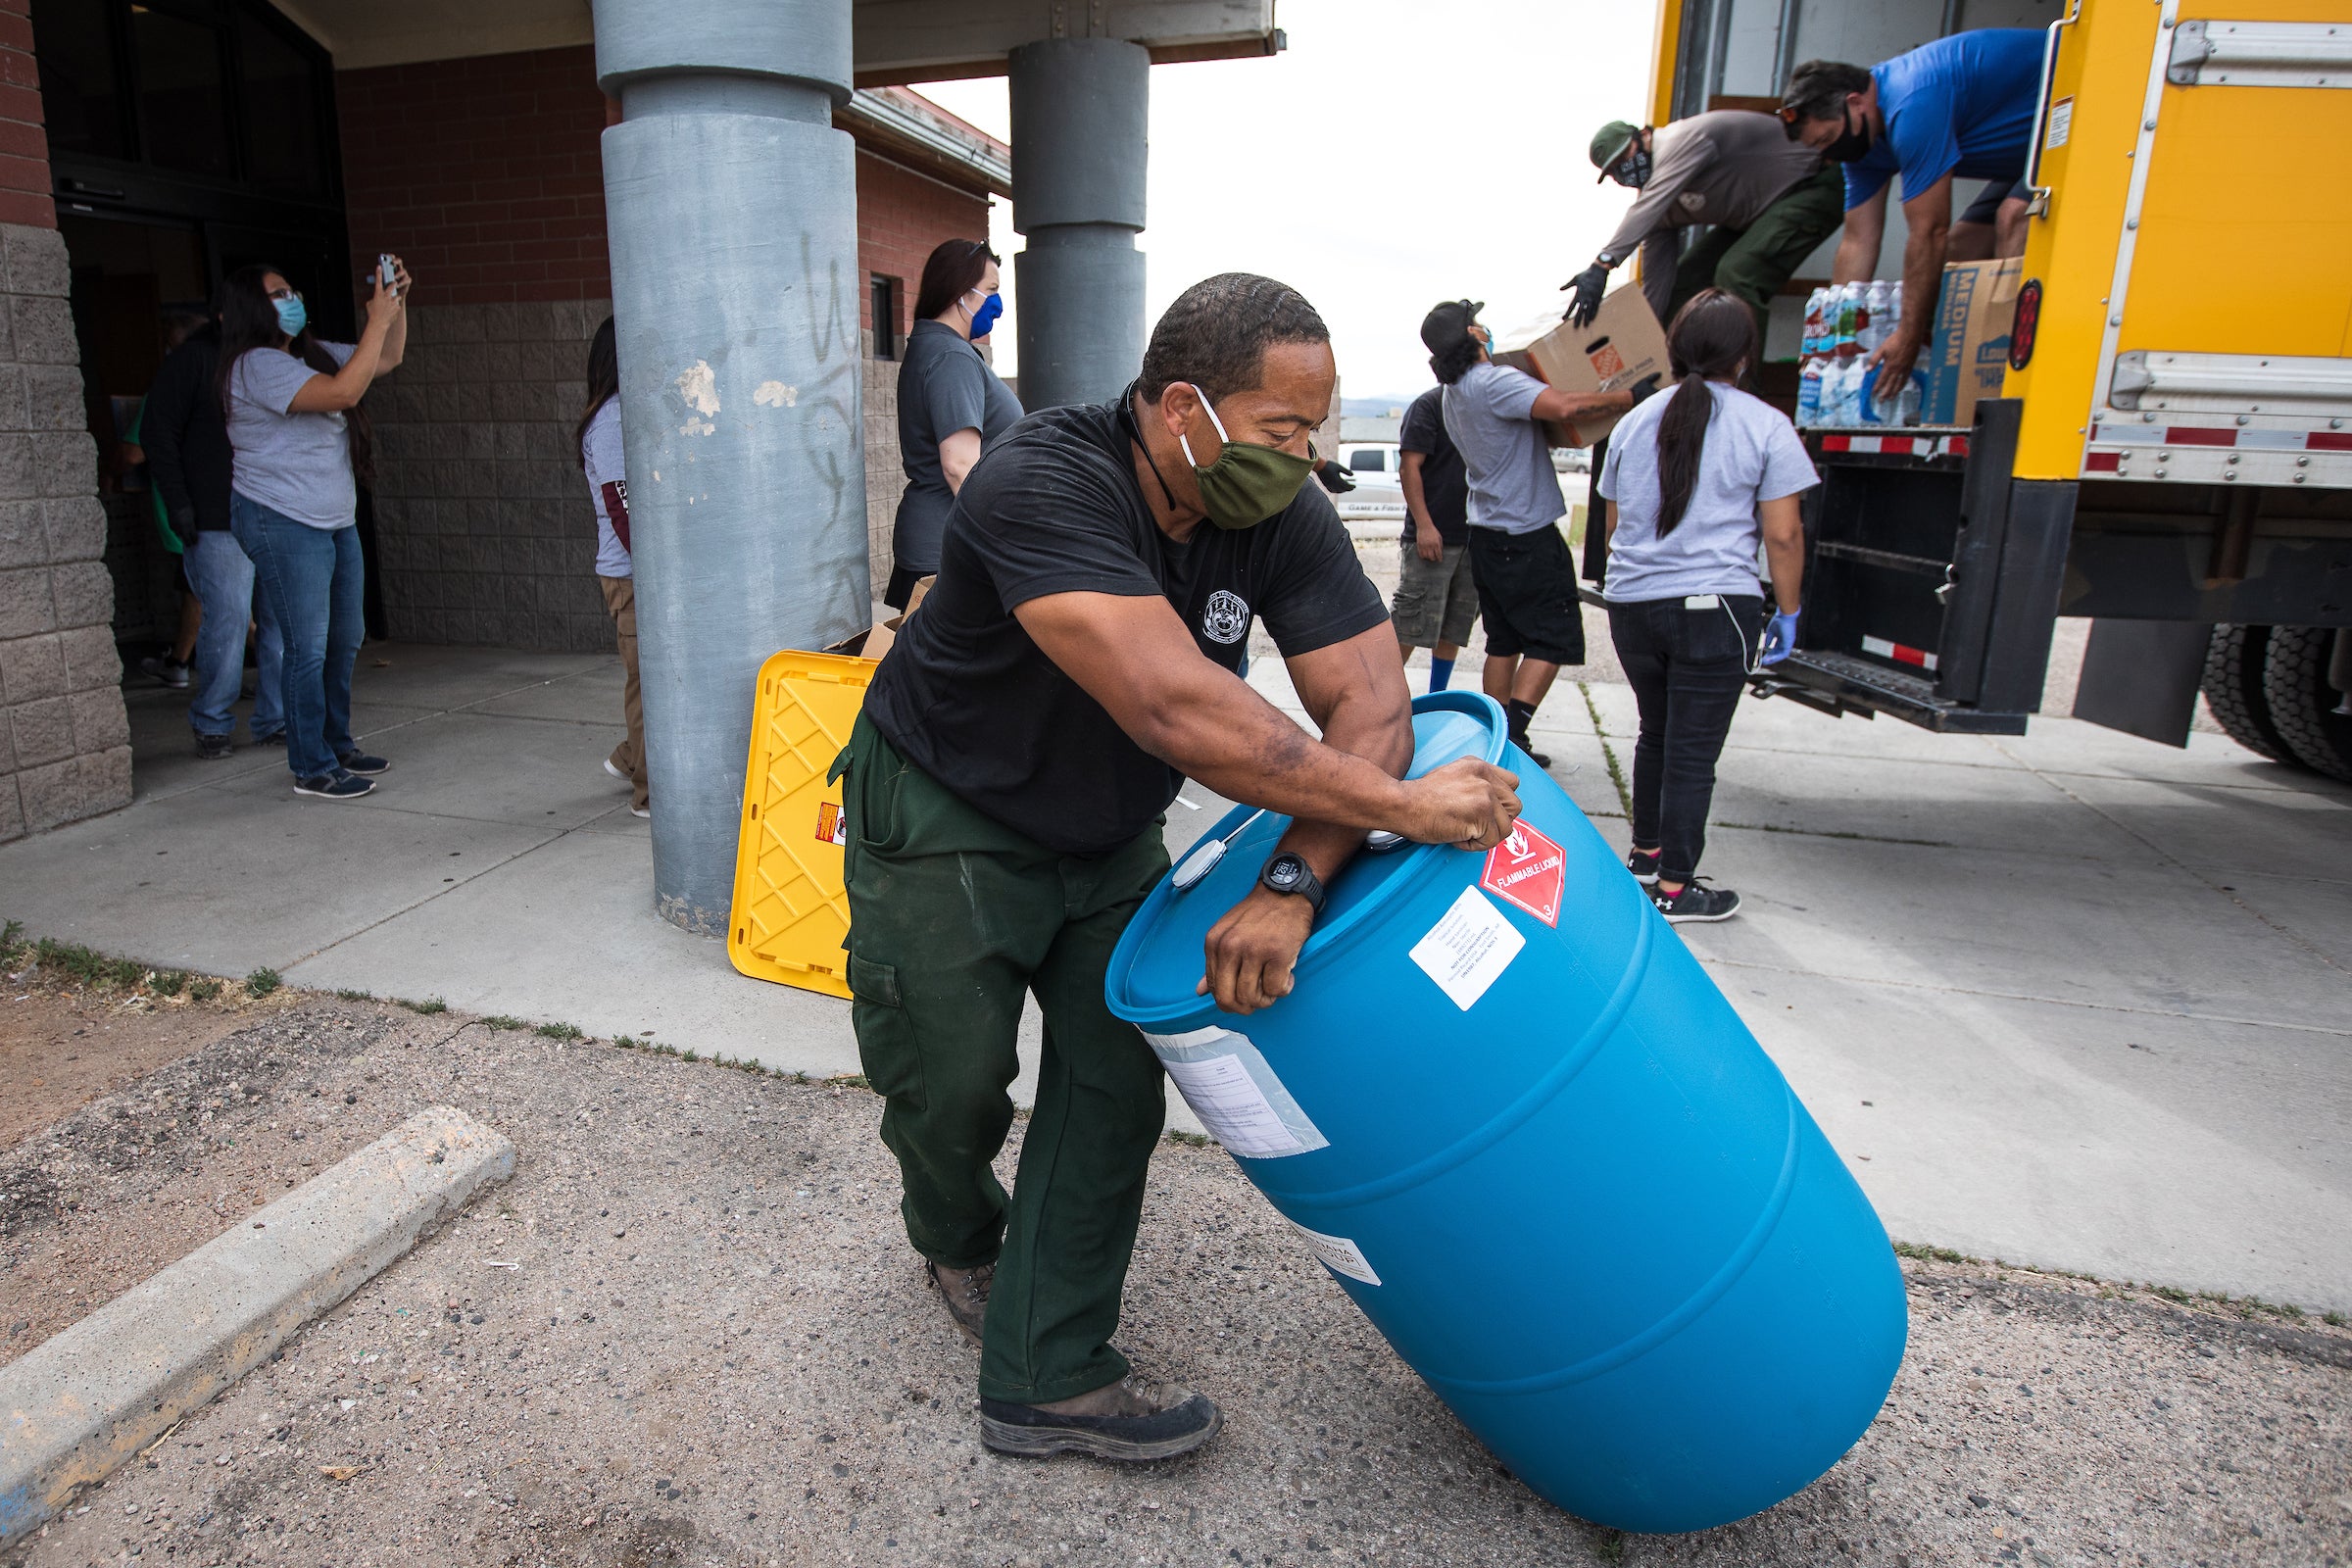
pixel 2172 448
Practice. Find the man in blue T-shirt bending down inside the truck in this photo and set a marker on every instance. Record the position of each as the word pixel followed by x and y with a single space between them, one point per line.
pixel 1956 109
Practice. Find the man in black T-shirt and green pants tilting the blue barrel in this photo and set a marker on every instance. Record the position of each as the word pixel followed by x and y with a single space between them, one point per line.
pixel 1005 793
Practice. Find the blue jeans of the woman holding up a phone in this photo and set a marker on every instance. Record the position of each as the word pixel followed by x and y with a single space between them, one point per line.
pixel 312 582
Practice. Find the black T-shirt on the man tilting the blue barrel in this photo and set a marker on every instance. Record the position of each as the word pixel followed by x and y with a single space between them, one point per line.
pixel 1055 509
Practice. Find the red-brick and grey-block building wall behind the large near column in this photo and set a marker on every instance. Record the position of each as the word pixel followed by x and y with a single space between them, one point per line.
pixel 497 203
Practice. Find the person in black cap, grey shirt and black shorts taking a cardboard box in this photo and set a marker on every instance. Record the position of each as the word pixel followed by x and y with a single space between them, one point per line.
pixel 1521 563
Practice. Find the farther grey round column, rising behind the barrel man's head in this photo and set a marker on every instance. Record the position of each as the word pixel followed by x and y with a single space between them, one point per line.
pixel 1078 199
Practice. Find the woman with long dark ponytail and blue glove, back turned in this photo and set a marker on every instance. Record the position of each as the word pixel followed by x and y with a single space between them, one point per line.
pixel 1695 483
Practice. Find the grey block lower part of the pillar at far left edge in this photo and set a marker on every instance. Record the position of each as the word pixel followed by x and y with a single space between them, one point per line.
pixel 65 739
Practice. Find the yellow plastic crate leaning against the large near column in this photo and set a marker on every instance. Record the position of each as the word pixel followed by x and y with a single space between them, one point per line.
pixel 791 911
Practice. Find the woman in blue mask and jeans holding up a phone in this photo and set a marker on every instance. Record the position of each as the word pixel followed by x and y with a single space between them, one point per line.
pixel 300 450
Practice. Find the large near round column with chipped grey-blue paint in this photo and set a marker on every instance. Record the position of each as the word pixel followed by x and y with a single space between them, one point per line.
pixel 735 283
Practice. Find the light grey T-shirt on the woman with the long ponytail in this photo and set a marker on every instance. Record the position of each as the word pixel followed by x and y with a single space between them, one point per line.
pixel 1751 455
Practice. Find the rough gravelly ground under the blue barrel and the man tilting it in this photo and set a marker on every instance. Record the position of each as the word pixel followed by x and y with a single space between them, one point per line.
pixel 690 1332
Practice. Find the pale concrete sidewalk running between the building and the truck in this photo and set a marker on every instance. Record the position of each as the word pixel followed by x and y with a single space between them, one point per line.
pixel 2069 1000
